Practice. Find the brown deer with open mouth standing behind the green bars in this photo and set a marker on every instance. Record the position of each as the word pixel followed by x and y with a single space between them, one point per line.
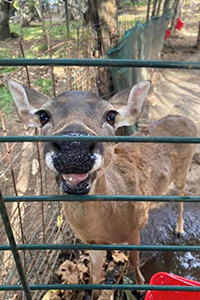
pixel 107 168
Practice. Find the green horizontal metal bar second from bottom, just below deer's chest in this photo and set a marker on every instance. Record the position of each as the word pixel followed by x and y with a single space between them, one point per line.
pixel 101 247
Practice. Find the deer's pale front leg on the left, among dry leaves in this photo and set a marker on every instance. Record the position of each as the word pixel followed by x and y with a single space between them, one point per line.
pixel 96 260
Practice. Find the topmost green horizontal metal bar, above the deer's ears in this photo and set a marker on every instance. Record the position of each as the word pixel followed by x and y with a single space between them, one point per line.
pixel 100 63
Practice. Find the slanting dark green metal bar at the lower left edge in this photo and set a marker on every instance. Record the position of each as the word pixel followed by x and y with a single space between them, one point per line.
pixel 13 246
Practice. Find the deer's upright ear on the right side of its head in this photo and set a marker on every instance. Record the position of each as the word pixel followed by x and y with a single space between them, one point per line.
pixel 129 112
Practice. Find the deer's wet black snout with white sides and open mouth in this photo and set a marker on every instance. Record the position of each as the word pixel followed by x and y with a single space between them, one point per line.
pixel 75 162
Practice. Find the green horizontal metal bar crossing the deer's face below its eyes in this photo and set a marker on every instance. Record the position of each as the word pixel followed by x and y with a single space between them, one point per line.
pixel 130 139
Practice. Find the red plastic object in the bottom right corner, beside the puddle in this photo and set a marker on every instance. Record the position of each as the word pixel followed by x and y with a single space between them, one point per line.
pixel 163 278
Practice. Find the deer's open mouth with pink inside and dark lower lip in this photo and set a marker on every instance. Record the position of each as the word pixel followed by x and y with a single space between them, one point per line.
pixel 76 184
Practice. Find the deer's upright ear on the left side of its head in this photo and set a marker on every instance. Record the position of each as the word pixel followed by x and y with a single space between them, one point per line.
pixel 27 102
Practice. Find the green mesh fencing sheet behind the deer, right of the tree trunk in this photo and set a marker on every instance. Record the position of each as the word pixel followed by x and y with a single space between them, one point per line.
pixel 142 42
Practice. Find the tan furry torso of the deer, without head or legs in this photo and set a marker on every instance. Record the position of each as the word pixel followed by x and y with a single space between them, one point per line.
pixel 136 169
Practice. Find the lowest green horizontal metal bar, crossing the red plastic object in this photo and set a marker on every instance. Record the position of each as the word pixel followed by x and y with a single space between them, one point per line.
pixel 102 287
